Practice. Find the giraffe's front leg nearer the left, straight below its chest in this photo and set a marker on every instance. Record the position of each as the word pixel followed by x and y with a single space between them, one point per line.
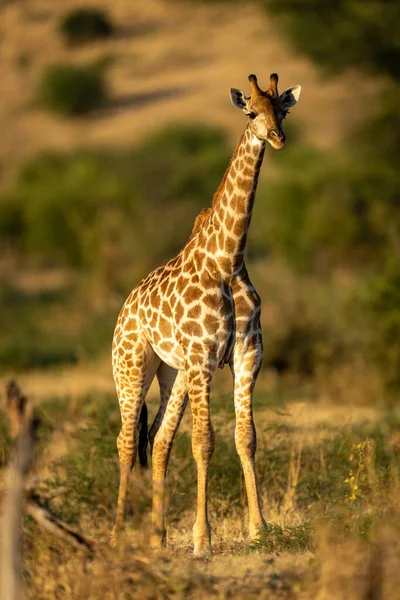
pixel 203 439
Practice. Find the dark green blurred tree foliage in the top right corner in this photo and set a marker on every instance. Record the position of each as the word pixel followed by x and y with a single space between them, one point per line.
pixel 337 34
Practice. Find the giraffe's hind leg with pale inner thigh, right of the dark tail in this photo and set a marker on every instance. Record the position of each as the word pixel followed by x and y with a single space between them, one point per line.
pixel 173 386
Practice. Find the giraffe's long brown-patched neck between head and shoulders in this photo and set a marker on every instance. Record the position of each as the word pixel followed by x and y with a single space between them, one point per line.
pixel 233 205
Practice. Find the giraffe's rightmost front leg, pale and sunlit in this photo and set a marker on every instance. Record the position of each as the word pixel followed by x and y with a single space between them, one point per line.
pixel 246 365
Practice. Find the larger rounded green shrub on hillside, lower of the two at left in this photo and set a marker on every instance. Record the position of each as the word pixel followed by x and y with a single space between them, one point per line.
pixel 73 90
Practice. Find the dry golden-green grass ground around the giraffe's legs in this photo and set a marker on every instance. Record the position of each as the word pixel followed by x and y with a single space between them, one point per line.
pixel 319 545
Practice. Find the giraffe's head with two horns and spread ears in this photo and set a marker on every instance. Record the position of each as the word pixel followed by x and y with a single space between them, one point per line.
pixel 266 110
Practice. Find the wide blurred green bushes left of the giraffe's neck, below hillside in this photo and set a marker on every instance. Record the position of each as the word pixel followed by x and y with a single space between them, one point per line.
pixel 118 212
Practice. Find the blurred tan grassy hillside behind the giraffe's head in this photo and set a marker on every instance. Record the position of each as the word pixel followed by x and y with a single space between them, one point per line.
pixel 169 61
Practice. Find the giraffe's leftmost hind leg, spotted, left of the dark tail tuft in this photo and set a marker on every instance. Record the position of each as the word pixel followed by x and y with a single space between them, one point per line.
pixel 132 385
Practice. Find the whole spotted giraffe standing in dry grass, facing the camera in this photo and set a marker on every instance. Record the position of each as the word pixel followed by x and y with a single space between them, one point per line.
pixel 198 312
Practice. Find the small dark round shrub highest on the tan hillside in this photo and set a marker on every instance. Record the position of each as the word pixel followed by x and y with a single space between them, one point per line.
pixel 85 25
